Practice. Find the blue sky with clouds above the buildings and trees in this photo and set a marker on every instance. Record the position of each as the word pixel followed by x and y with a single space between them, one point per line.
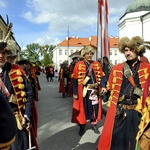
pixel 47 21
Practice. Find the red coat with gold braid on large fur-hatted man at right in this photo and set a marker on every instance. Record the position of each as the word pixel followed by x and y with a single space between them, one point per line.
pixel 114 85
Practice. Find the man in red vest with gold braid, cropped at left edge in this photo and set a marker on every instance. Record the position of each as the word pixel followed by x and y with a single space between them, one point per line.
pixel 19 94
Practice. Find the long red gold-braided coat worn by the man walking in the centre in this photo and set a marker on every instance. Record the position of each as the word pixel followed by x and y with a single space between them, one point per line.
pixel 78 114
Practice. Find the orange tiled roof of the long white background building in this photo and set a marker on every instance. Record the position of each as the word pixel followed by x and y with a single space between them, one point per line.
pixel 76 41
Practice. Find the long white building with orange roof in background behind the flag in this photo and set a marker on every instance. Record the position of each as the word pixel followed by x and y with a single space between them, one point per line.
pixel 65 50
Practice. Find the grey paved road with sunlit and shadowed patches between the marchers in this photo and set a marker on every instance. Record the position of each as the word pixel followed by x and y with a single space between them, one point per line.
pixel 55 130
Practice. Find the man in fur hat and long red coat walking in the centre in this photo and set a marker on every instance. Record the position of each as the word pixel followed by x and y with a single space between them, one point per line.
pixel 87 83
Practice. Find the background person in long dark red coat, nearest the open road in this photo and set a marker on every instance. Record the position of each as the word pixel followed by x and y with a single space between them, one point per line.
pixel 63 78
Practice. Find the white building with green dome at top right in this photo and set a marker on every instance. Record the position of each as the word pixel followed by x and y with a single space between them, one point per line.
pixel 136 22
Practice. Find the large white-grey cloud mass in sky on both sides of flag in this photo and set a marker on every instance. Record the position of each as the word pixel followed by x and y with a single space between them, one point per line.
pixel 79 16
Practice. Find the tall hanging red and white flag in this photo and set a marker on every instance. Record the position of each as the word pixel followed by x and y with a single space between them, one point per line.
pixel 103 39
